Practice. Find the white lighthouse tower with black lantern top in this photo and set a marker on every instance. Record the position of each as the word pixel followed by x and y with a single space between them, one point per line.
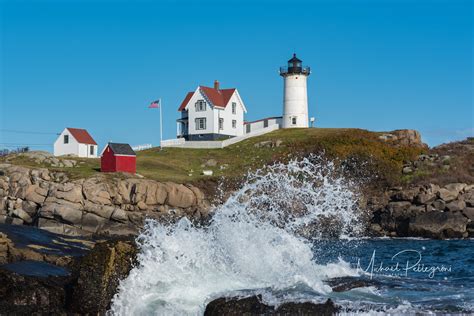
pixel 295 95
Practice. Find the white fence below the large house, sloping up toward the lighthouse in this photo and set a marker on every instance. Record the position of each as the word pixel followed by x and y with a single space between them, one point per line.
pixel 215 144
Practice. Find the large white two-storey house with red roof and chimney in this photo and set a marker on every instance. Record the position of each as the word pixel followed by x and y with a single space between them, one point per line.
pixel 211 114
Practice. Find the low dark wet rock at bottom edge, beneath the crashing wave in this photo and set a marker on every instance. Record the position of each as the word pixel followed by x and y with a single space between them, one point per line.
pixel 254 306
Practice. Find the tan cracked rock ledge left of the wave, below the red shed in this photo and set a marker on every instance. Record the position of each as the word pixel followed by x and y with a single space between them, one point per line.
pixel 97 205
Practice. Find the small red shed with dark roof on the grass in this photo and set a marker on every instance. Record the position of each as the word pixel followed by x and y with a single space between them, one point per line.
pixel 118 158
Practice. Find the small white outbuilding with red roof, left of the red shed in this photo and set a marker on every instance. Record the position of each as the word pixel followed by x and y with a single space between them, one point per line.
pixel 77 142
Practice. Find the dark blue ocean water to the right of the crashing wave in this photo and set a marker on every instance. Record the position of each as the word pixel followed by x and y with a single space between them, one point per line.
pixel 408 275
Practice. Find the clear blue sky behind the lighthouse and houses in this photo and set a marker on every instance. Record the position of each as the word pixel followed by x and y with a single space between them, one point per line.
pixel 377 65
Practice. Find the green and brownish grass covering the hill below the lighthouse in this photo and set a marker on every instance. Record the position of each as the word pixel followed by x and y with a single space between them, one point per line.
pixel 186 165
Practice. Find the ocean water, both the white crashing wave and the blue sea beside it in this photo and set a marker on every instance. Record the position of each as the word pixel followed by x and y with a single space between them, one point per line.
pixel 289 232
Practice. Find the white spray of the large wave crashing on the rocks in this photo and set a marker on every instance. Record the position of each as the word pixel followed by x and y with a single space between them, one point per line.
pixel 259 241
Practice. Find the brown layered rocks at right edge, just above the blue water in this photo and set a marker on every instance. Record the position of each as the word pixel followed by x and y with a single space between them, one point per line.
pixel 425 211
